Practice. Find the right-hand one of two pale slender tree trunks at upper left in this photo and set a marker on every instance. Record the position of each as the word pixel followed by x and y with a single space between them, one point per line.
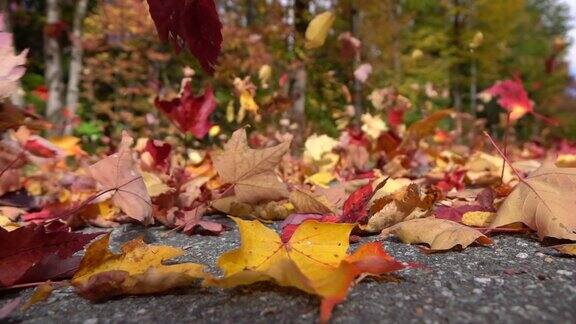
pixel 77 53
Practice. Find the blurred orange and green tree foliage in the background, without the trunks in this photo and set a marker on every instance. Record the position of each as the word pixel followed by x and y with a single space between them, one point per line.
pixel 422 49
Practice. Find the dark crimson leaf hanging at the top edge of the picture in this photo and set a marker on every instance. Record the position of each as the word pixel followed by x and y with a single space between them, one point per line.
pixel 191 23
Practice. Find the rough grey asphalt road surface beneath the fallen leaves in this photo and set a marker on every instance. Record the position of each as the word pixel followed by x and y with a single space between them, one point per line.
pixel 517 280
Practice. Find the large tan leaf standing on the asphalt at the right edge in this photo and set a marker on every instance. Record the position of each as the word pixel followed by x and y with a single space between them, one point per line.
pixel 543 201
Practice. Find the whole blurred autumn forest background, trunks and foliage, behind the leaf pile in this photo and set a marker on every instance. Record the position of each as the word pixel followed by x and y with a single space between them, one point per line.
pixel 96 67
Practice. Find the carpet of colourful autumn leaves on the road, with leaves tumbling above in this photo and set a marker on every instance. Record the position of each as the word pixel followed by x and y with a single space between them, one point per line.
pixel 412 182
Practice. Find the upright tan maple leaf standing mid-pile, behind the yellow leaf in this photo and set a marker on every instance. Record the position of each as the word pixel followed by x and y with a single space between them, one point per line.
pixel 251 171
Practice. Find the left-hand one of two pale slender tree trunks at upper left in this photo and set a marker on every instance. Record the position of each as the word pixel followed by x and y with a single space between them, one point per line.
pixel 53 74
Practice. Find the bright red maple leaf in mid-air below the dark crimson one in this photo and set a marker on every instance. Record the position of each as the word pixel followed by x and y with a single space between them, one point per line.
pixel 189 113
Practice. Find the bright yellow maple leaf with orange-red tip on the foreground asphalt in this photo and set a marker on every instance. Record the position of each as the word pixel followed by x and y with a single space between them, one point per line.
pixel 313 260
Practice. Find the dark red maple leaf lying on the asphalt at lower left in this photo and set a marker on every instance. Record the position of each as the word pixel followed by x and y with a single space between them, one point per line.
pixel 35 253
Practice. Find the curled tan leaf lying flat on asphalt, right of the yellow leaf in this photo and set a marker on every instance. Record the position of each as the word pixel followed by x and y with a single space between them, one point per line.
pixel 439 234
